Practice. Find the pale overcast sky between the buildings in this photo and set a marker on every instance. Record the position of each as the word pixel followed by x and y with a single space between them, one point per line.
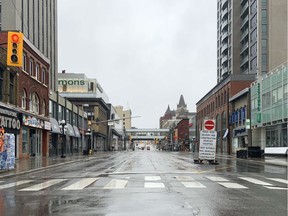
pixel 144 53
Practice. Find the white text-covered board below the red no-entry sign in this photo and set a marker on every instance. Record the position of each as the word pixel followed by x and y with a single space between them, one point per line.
pixel 207 148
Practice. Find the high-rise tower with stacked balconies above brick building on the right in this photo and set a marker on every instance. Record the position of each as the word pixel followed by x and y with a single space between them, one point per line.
pixel 251 36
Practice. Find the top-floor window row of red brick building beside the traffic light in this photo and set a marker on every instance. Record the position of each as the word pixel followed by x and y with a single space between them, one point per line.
pixel 33 69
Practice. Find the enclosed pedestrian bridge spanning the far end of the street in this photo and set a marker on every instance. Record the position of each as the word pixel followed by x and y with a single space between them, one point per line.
pixel 147 134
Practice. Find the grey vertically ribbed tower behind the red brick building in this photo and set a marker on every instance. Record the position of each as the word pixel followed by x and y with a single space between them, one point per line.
pixel 38 21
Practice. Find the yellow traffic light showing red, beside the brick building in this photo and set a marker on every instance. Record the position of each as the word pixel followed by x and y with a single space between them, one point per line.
pixel 15 49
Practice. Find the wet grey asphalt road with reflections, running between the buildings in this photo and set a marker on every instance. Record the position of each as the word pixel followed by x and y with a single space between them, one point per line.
pixel 146 182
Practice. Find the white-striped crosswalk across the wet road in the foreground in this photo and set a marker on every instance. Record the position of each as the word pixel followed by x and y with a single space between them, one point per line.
pixel 146 182
